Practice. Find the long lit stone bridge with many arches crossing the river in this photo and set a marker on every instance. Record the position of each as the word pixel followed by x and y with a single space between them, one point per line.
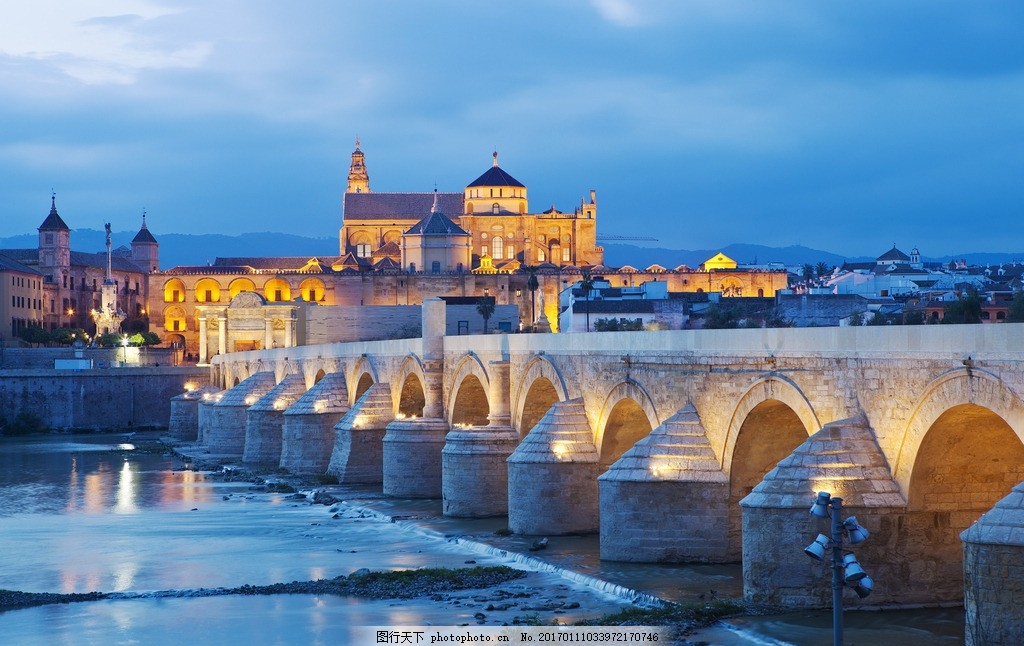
pixel 676 447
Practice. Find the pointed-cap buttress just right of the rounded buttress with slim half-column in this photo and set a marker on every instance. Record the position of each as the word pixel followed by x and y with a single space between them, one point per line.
pixel 553 476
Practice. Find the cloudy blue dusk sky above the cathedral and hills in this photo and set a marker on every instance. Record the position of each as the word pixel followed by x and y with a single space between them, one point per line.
pixel 843 126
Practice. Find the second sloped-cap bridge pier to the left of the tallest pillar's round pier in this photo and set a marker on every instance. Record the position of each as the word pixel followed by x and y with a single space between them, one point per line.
pixel 308 436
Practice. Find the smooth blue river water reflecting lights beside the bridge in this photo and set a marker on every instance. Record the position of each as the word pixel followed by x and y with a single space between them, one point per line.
pixel 91 513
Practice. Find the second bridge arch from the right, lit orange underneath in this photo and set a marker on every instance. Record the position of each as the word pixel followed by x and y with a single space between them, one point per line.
pixel 772 420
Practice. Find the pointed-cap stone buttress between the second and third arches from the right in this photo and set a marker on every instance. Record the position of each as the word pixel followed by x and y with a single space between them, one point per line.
pixel 666 499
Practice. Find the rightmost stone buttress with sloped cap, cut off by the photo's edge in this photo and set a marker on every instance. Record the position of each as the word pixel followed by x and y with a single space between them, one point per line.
pixel 994 575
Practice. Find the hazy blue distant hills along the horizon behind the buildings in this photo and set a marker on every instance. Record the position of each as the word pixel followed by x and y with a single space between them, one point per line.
pixel 185 249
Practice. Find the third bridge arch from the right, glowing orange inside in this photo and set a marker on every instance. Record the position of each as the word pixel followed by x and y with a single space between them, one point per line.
pixel 628 416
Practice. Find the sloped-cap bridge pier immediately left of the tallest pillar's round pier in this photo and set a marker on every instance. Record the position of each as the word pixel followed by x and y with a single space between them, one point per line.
pixel 359 452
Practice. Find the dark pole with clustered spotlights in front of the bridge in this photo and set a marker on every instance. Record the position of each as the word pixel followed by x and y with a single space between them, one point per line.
pixel 846 570
